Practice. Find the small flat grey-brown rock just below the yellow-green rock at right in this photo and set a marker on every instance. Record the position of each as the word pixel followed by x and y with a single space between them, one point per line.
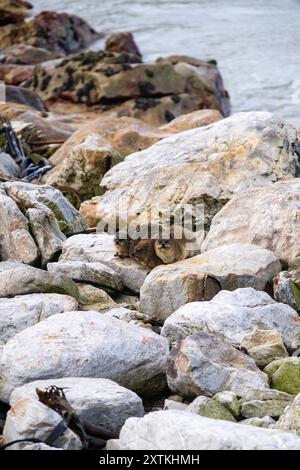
pixel 260 403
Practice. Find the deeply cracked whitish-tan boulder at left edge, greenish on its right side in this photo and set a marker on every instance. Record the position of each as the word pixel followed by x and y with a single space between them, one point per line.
pixel 35 221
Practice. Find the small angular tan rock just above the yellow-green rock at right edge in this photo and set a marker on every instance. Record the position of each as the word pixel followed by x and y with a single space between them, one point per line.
pixel 264 346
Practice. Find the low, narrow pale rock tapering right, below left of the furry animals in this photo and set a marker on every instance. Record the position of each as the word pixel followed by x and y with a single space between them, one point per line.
pixel 93 272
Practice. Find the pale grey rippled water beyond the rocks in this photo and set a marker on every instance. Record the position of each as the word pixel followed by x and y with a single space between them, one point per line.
pixel 255 42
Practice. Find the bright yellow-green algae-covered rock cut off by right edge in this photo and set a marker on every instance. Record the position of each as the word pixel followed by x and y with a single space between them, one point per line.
pixel 284 374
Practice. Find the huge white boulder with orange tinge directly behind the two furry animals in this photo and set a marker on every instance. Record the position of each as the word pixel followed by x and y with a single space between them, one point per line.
pixel 205 166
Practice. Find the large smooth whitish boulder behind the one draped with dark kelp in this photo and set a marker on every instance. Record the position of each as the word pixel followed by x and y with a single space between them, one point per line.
pixel 85 344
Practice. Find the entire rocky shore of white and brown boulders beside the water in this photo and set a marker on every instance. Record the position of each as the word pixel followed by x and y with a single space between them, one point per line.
pixel 152 344
